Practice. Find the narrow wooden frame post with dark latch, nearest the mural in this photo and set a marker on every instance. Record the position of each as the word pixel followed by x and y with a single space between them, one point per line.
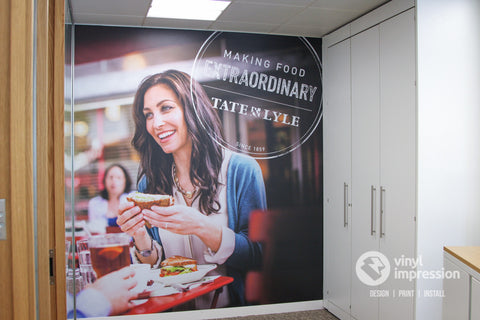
pixel 50 55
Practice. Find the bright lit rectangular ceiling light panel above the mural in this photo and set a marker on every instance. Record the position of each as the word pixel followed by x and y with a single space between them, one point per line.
pixel 187 9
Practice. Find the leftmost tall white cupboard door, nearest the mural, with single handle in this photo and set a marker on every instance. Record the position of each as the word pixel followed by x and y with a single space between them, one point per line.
pixel 337 168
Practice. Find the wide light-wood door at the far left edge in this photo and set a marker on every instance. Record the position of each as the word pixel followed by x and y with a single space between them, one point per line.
pixel 17 276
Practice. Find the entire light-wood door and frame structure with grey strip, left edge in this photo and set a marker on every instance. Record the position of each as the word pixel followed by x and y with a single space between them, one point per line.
pixel 33 284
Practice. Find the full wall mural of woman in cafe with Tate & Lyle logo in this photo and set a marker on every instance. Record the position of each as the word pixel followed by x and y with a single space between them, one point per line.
pixel 196 176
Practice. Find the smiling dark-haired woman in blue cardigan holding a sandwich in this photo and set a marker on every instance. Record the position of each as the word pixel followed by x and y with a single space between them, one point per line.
pixel 214 189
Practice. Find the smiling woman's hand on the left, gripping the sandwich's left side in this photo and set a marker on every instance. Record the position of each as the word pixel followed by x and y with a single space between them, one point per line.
pixel 130 220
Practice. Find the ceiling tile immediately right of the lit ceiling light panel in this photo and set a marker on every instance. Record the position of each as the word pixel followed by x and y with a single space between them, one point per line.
pixel 258 13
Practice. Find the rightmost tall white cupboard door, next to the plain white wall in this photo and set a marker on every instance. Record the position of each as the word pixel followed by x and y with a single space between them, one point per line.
pixel 397 158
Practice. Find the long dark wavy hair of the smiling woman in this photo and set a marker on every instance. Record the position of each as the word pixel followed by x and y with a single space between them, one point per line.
pixel 203 127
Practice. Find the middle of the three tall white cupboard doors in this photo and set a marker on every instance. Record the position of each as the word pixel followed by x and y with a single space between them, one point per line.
pixel 365 163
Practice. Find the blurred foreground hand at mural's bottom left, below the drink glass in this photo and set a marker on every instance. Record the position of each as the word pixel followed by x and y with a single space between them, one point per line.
pixel 116 287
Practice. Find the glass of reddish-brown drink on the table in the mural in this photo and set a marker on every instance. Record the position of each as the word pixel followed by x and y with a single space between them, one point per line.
pixel 109 252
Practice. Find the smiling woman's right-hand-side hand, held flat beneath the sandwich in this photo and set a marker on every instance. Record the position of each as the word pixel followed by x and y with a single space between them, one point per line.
pixel 185 220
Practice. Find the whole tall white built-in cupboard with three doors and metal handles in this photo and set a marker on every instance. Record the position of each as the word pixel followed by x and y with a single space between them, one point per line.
pixel 370 182
